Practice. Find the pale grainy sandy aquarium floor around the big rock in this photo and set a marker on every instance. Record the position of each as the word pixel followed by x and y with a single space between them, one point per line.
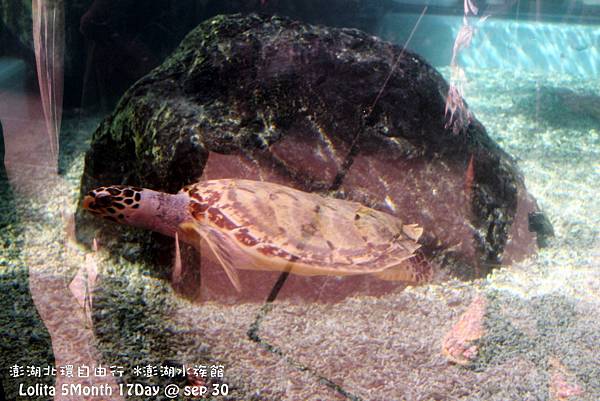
pixel 539 322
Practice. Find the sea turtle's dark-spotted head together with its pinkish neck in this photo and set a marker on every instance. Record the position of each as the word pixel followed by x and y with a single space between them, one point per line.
pixel 138 207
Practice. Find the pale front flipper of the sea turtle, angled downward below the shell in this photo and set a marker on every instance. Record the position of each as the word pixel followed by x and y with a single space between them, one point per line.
pixel 225 250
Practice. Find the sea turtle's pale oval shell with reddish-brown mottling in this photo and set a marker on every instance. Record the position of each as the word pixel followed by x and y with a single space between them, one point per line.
pixel 266 226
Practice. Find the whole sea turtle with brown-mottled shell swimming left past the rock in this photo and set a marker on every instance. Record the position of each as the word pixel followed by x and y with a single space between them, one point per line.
pixel 259 225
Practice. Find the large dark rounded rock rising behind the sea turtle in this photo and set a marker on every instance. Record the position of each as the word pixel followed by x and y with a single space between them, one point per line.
pixel 273 99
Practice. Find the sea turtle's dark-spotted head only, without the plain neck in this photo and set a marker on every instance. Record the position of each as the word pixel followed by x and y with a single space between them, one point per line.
pixel 116 203
